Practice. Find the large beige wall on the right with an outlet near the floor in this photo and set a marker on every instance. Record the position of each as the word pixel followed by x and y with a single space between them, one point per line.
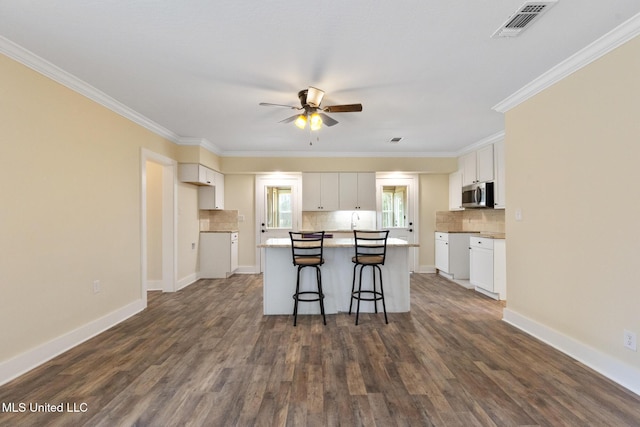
pixel 572 156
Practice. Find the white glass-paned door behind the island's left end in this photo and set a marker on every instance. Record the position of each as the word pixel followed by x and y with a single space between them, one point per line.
pixel 278 208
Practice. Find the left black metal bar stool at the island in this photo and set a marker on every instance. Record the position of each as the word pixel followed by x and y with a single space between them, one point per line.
pixel 306 250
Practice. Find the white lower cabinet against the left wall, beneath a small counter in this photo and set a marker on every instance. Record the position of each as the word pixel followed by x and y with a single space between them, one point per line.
pixel 218 254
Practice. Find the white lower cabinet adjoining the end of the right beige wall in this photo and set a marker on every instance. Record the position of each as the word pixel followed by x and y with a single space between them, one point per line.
pixel 487 266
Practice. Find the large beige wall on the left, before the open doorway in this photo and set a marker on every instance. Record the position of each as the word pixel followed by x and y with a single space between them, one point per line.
pixel 70 194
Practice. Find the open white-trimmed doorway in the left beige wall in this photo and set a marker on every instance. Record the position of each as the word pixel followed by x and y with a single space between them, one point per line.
pixel 158 175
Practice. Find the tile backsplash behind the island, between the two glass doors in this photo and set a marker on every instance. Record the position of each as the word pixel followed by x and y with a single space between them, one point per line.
pixel 338 220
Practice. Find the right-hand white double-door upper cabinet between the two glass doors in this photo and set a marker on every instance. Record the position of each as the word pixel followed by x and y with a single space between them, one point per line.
pixel 357 191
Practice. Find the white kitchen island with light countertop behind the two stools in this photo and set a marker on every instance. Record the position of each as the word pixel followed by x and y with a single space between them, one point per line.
pixel 337 275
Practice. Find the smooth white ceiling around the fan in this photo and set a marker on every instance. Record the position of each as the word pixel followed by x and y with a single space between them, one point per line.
pixel 424 70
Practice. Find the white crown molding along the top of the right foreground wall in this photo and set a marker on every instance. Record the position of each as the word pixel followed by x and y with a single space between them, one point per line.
pixel 605 44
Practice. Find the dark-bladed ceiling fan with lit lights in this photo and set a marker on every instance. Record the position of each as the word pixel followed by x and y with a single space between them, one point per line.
pixel 314 114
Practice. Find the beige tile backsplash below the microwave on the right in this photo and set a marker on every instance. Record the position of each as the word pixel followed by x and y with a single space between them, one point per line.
pixel 482 220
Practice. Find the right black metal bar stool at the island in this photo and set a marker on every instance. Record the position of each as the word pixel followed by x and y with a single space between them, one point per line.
pixel 371 250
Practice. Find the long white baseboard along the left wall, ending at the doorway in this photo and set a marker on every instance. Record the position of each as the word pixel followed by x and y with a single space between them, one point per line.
pixel 28 360
